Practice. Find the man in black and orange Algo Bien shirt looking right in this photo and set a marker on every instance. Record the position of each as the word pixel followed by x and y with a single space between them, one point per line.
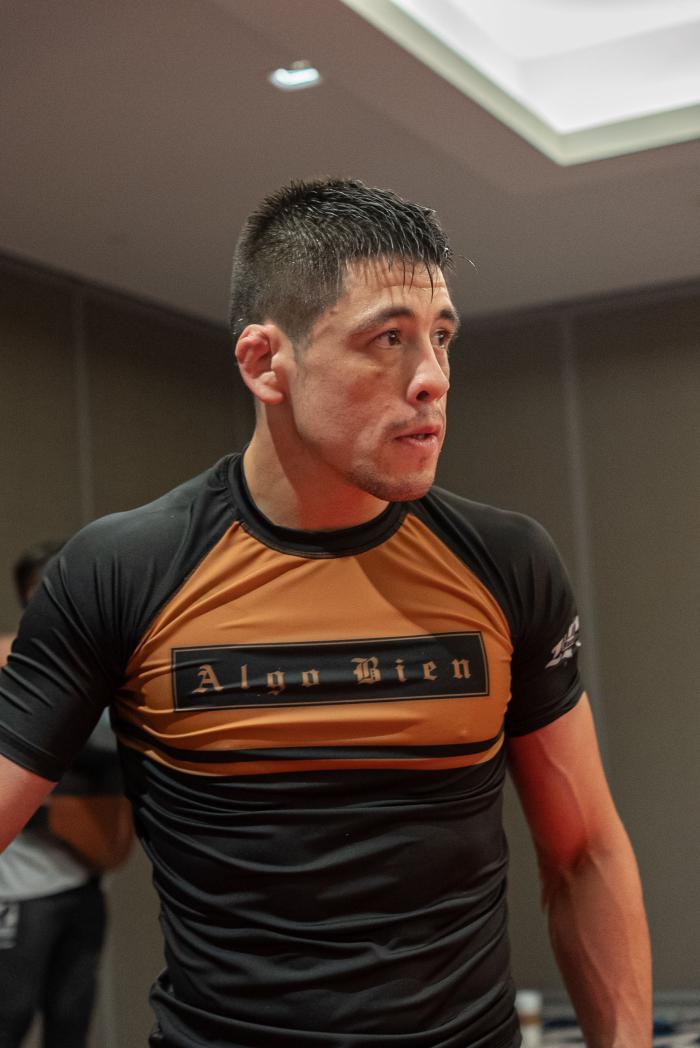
pixel 318 666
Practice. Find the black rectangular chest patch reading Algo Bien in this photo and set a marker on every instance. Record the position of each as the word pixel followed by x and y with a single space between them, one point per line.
pixel 331 672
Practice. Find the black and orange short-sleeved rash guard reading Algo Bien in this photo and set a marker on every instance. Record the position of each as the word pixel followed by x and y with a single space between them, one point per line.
pixel 313 731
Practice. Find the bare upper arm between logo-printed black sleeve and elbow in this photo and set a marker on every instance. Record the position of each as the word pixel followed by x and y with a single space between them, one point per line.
pixel 562 785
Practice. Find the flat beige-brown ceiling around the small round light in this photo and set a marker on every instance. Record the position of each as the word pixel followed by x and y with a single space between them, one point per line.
pixel 136 137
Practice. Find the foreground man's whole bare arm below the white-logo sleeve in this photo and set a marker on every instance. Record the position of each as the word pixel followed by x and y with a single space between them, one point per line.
pixel 590 883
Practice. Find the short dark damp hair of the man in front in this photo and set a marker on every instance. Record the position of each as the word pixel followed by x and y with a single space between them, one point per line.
pixel 292 257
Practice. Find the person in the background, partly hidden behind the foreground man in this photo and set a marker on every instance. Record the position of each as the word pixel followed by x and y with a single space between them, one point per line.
pixel 53 913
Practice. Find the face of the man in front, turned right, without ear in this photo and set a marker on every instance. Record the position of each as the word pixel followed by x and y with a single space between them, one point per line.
pixel 368 390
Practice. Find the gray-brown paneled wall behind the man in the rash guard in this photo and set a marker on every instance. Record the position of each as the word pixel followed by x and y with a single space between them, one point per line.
pixel 584 417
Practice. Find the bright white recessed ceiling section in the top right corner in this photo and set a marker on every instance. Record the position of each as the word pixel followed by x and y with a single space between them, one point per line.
pixel 579 80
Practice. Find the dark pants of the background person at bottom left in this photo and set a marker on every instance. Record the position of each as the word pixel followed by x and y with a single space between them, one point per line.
pixel 50 951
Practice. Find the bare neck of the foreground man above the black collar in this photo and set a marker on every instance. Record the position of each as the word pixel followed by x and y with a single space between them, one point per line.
pixel 293 490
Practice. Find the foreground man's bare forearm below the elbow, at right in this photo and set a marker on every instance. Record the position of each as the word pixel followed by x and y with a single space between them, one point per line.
pixel 600 937
